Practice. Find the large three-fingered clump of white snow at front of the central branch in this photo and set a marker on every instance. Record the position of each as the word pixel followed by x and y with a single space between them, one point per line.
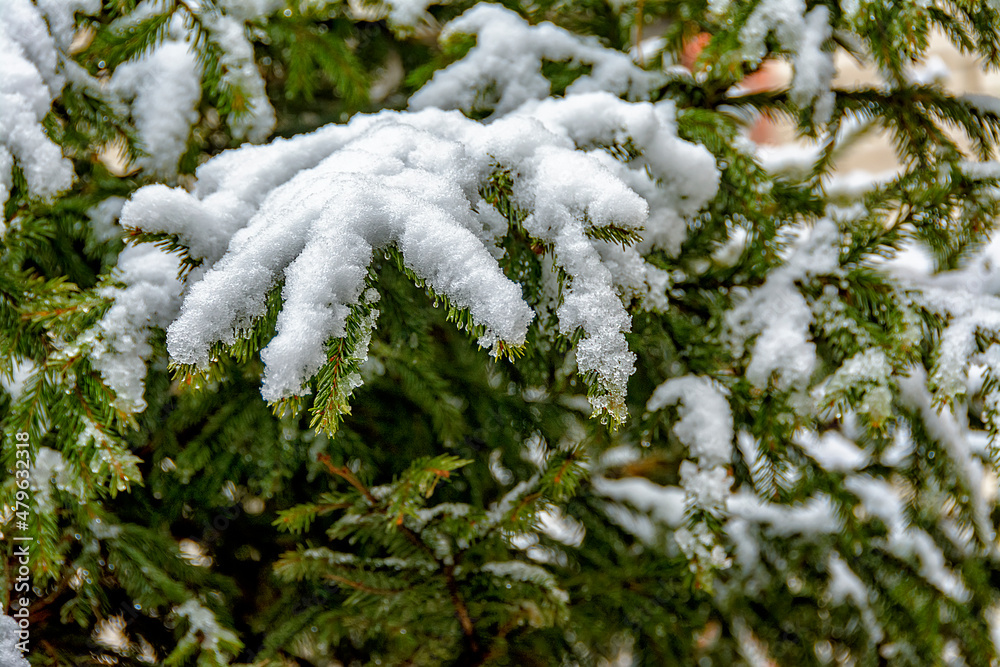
pixel 393 185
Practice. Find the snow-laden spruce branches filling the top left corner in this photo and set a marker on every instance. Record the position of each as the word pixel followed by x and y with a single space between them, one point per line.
pixel 159 56
